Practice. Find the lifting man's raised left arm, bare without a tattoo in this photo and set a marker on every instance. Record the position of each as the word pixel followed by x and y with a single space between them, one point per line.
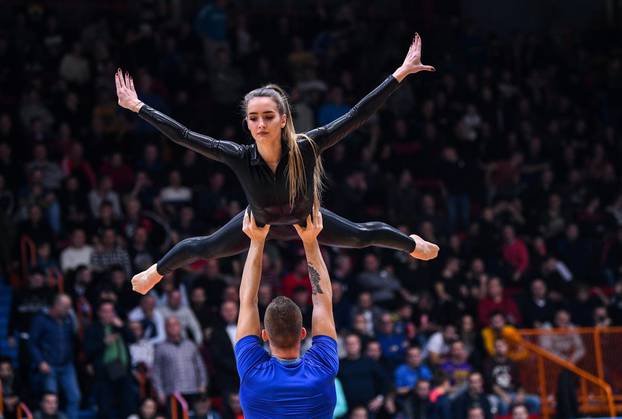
pixel 248 320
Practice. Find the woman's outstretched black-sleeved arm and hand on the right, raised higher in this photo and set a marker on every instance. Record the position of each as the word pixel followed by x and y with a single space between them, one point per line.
pixel 330 134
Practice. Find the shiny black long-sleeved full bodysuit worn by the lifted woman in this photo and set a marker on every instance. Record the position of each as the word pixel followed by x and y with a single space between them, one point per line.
pixel 268 192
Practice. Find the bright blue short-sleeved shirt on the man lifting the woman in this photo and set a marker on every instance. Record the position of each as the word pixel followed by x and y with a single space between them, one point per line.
pixel 272 388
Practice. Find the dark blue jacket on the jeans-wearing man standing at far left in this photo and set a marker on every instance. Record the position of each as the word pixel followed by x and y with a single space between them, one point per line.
pixel 51 340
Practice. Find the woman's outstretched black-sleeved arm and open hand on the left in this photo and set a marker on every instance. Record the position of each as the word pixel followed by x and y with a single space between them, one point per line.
pixel 207 146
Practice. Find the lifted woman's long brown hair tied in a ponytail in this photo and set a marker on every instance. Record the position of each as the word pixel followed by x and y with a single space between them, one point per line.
pixel 295 172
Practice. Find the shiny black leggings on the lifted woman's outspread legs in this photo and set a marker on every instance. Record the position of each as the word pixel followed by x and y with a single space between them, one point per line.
pixel 230 240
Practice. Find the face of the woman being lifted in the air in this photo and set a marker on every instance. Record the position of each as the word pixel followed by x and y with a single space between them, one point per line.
pixel 264 120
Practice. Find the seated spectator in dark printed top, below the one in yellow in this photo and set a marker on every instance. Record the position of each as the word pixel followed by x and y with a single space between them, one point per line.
pixel 502 376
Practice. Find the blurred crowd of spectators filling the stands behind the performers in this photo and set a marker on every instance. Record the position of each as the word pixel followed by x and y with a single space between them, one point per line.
pixel 508 157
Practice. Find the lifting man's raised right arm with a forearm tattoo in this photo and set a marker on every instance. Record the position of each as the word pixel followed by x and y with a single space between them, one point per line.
pixel 323 322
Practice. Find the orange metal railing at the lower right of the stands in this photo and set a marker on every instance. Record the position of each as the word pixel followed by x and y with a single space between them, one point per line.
pixel 594 363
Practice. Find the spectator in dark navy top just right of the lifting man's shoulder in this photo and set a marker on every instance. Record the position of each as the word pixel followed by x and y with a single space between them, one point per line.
pixel 363 381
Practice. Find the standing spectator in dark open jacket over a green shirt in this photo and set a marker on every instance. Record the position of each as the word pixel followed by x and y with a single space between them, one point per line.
pixel 106 348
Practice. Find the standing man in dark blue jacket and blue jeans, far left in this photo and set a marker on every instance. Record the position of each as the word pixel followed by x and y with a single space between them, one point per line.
pixel 52 336
